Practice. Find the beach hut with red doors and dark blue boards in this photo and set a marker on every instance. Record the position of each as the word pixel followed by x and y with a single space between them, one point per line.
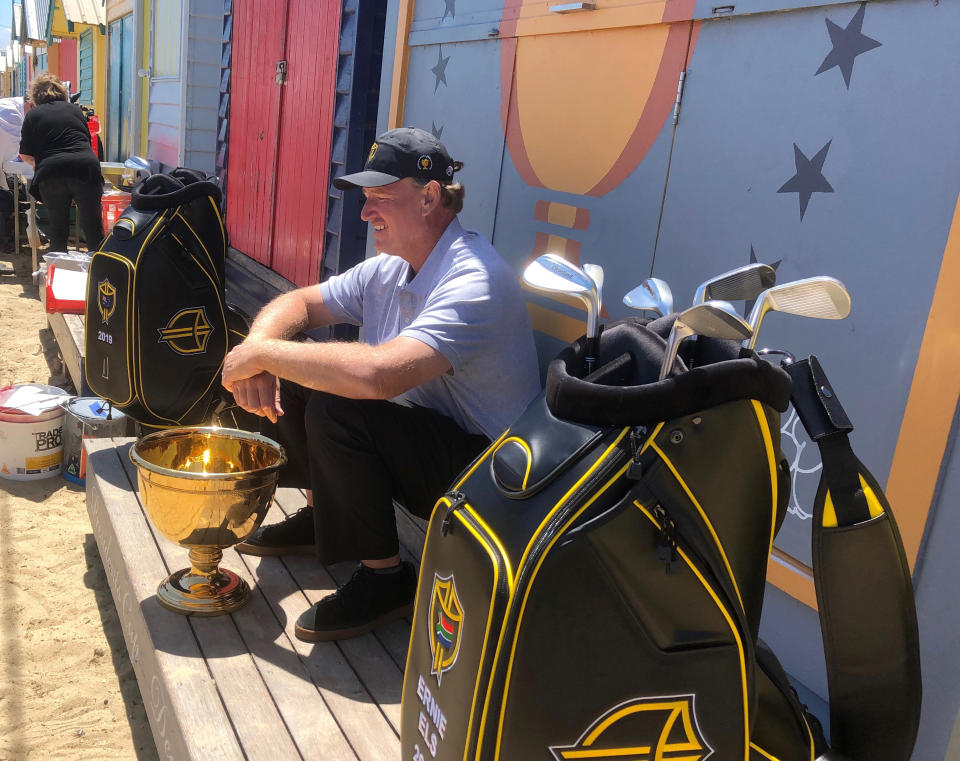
pixel 299 101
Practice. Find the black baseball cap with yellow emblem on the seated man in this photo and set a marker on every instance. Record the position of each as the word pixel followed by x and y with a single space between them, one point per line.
pixel 399 153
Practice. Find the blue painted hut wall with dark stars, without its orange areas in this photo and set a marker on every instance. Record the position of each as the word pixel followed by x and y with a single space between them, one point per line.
pixel 823 139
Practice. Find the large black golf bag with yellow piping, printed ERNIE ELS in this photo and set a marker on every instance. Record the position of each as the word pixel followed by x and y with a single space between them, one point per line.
pixel 591 587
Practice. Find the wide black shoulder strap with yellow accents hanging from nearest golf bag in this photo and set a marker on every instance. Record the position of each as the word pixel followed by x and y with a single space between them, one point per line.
pixel 864 590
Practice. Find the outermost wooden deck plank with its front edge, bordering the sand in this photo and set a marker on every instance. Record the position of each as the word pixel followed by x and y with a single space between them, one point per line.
pixel 187 716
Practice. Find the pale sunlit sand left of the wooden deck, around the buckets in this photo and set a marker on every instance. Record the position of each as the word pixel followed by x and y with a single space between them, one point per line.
pixel 67 689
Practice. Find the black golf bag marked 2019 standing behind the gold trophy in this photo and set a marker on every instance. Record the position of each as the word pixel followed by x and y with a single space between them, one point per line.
pixel 157 324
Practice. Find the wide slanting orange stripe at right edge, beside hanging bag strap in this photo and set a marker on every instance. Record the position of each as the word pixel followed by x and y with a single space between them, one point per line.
pixel 931 405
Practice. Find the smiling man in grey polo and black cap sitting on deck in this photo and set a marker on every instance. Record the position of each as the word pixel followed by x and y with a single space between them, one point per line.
pixel 446 364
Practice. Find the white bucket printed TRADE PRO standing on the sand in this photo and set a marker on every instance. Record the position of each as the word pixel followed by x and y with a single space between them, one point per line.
pixel 31 431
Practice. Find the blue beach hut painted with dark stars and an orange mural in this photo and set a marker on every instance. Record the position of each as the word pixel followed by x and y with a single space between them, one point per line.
pixel 681 139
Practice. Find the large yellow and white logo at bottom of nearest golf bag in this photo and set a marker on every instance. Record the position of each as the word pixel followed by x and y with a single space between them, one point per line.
pixel 644 729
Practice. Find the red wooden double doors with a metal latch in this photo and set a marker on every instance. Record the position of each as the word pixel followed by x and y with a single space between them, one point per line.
pixel 279 145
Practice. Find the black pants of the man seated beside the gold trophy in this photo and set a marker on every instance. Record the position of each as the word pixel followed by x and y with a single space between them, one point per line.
pixel 358 456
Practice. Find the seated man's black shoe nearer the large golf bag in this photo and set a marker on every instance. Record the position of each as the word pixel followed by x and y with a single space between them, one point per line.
pixel 370 599
